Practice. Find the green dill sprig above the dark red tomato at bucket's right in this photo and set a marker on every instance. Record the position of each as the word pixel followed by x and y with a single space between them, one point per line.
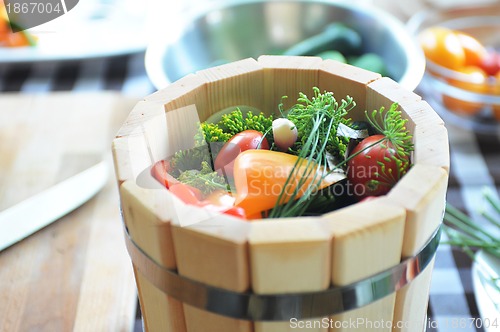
pixel 393 127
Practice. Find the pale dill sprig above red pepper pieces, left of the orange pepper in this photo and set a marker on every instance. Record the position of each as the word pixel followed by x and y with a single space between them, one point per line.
pixel 205 179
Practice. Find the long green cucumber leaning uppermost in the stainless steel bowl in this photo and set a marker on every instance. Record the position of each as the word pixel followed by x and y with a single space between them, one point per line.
pixel 335 36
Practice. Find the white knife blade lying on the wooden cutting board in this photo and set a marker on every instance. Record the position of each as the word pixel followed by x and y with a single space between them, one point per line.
pixel 34 213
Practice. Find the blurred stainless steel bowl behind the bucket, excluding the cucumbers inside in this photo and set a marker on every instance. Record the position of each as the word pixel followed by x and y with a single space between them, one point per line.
pixel 237 29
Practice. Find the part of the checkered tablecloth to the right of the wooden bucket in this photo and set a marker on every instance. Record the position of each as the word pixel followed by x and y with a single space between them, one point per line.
pixel 475 165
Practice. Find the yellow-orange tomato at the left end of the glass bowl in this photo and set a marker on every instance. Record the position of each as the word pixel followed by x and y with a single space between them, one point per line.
pixel 443 47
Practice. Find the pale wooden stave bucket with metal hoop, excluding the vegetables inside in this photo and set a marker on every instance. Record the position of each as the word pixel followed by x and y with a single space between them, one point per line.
pixel 197 277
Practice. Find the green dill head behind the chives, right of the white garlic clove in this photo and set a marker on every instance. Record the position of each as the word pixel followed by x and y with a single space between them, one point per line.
pixel 303 115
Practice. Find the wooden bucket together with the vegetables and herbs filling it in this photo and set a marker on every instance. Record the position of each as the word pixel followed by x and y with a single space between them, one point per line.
pixel 260 183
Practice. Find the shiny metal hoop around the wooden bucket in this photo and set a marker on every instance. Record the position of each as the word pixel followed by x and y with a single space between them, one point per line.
pixel 282 307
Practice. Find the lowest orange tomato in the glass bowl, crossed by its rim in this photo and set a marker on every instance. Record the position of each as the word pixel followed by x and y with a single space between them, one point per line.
pixel 475 83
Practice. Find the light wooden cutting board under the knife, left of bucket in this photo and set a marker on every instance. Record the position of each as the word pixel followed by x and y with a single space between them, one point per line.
pixel 75 274
